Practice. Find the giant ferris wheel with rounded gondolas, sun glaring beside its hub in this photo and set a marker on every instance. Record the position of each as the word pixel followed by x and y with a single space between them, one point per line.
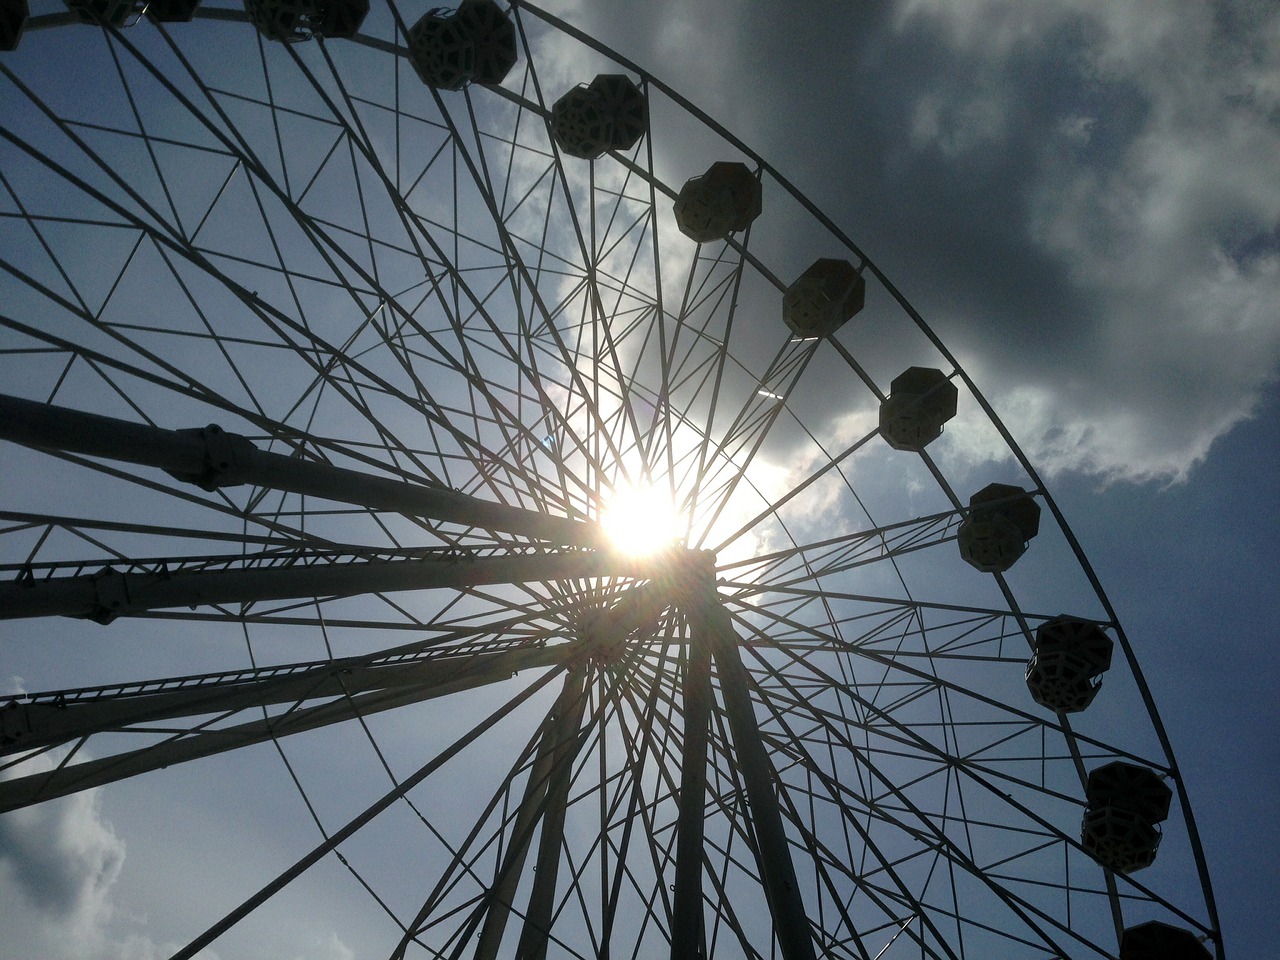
pixel 435 441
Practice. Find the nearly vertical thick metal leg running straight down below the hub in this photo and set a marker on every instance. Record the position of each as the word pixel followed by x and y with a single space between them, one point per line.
pixel 687 918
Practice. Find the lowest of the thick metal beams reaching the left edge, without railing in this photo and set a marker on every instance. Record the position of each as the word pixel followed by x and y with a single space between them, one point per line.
pixel 452 676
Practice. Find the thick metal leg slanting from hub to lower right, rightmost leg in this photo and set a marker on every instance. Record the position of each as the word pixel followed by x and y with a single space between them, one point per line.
pixel 711 623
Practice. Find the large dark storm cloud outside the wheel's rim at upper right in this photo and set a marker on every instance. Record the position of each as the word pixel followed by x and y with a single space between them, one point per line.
pixel 1081 199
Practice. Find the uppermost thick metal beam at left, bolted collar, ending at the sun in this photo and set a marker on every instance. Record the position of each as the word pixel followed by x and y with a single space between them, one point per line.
pixel 212 459
